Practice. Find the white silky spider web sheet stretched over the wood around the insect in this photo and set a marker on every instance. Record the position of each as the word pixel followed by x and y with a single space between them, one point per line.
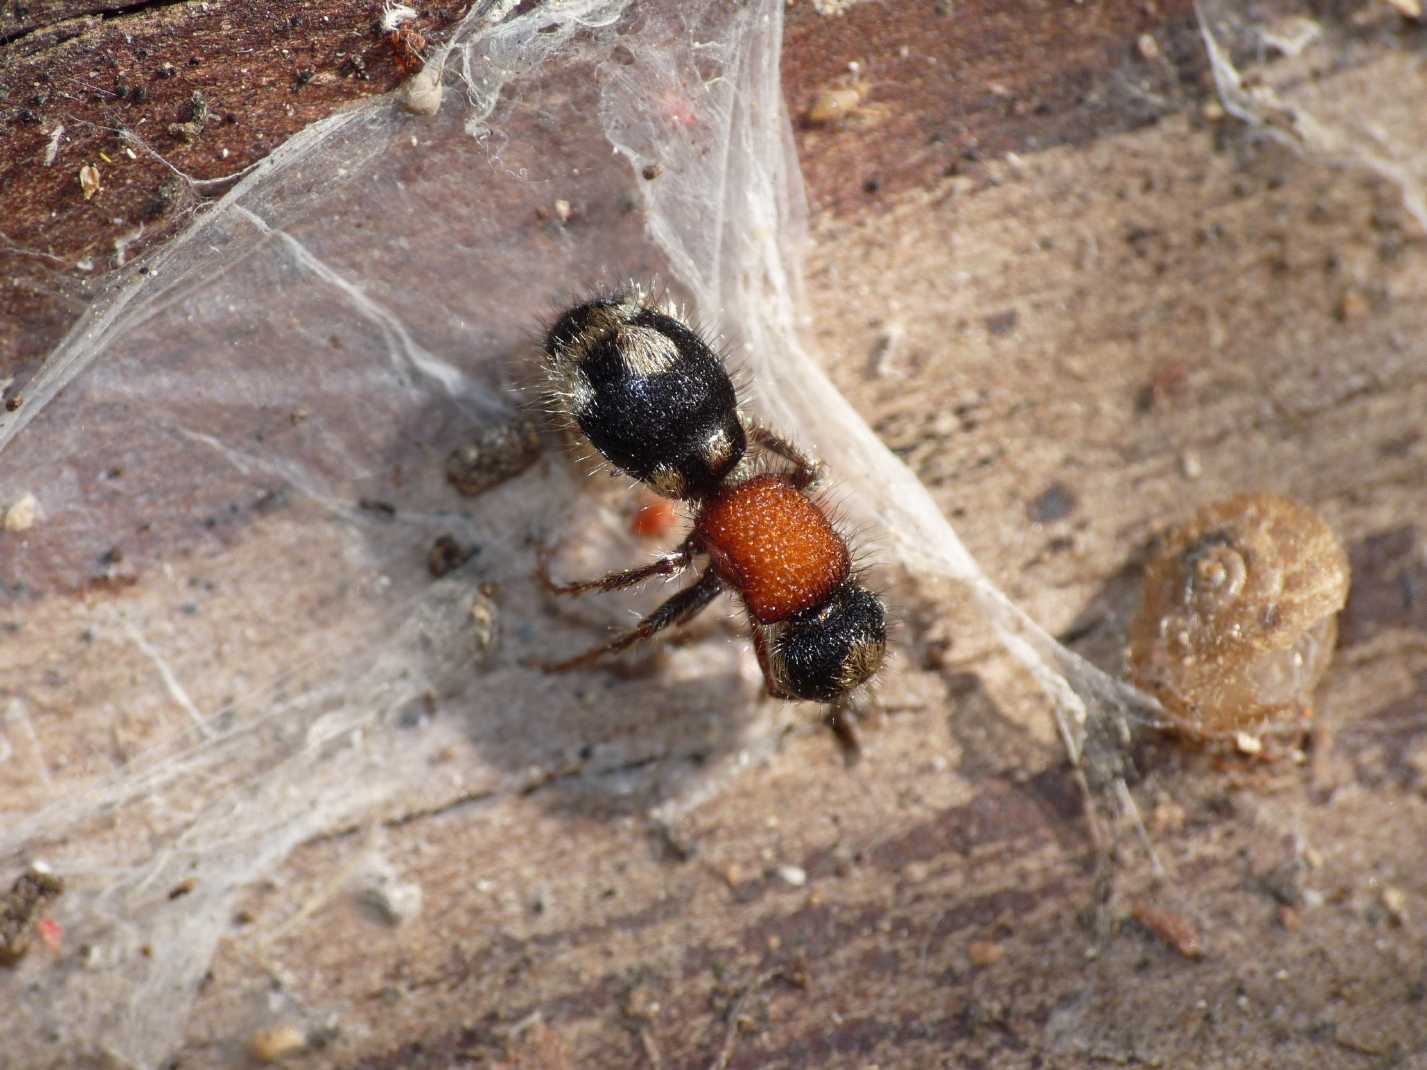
pixel 225 637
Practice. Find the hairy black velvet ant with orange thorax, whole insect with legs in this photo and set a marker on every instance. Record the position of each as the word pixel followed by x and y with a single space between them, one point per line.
pixel 654 400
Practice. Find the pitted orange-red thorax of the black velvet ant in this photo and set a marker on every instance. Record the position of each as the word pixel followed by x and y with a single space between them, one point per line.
pixel 771 543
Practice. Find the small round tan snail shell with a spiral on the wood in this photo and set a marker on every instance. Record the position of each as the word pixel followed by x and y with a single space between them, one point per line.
pixel 1239 617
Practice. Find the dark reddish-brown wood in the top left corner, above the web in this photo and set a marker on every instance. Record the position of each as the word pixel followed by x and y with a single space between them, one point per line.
pixel 265 71
